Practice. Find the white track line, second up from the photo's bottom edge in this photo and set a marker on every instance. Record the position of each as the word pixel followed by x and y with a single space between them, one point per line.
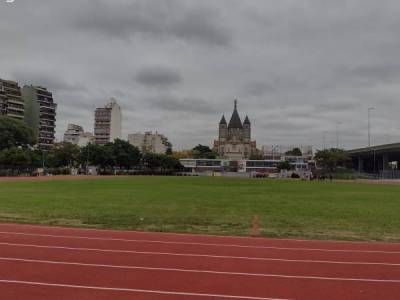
pixel 52 262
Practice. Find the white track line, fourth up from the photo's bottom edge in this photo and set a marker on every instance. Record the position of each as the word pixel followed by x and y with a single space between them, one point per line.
pixel 198 244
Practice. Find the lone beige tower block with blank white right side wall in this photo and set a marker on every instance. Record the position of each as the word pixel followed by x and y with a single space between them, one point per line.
pixel 107 123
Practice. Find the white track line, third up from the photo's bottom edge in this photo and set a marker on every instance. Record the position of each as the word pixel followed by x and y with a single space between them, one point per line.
pixel 201 255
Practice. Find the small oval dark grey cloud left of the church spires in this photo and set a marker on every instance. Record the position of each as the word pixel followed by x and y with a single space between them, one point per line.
pixel 158 76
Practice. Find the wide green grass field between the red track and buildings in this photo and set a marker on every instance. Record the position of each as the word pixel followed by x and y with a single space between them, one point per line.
pixel 321 210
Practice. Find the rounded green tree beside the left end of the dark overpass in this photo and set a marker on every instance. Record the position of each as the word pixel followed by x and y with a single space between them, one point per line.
pixel 331 159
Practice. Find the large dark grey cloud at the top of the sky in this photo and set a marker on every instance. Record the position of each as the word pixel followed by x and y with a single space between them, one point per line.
pixel 156 19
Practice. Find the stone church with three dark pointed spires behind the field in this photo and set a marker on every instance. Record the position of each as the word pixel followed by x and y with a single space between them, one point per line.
pixel 234 139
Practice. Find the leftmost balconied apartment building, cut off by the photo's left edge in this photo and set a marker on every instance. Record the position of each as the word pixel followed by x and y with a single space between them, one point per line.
pixel 11 102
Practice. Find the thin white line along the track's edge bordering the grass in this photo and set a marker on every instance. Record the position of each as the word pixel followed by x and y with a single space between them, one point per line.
pixel 267 239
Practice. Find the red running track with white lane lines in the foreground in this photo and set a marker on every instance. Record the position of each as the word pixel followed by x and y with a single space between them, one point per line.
pixel 63 263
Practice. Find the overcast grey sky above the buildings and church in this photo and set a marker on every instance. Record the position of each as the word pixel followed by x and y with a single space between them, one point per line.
pixel 297 67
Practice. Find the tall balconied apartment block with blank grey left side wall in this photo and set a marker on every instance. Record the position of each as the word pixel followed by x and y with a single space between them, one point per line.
pixel 40 114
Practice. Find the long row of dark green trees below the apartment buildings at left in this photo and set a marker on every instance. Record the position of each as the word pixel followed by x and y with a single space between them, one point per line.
pixel 18 156
